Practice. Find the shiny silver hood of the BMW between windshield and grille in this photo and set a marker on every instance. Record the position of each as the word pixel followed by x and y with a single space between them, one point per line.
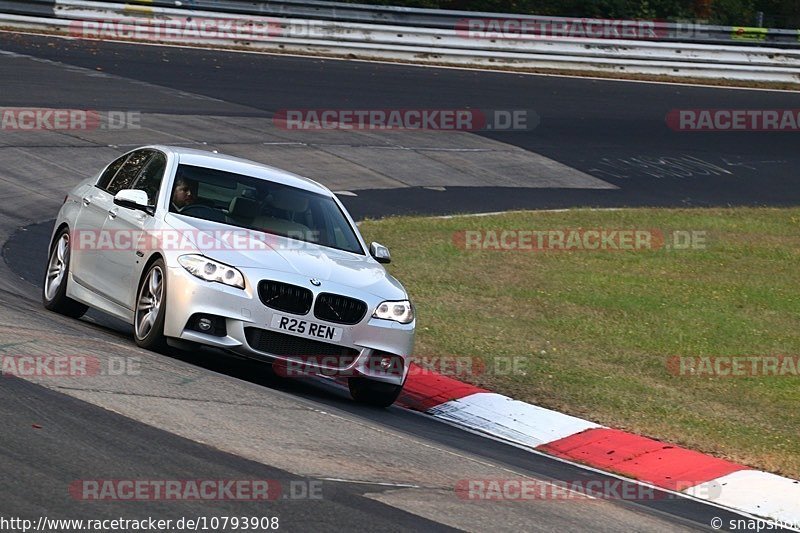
pixel 258 250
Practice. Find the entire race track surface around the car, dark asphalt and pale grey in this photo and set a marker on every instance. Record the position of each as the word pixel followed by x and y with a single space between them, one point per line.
pixel 207 415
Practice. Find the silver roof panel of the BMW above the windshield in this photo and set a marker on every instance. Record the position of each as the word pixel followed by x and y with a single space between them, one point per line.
pixel 204 158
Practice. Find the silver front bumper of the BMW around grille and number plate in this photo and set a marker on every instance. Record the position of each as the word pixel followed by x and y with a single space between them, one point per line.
pixel 241 309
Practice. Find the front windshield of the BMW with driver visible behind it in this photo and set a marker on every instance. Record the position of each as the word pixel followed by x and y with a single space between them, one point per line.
pixel 261 205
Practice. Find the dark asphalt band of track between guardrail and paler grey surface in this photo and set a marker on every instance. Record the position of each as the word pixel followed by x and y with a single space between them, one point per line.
pixel 598 127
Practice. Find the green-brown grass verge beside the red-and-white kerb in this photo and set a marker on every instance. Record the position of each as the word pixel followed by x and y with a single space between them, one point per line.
pixel 593 331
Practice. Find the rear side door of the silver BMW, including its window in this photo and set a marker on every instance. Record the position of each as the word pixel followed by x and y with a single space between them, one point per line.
pixel 88 225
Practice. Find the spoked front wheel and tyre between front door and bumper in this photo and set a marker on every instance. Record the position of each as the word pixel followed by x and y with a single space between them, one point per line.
pixel 151 308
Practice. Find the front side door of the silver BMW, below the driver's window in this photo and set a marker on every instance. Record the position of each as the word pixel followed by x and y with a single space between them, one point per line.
pixel 117 256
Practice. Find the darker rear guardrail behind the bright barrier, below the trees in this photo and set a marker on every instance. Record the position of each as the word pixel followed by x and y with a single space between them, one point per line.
pixel 446 19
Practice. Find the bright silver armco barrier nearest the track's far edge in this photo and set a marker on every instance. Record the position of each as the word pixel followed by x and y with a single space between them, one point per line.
pixel 450 46
